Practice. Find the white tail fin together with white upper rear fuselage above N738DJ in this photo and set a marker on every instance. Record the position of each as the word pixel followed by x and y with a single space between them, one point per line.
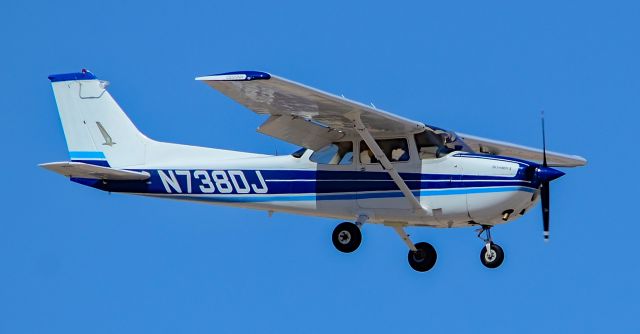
pixel 99 133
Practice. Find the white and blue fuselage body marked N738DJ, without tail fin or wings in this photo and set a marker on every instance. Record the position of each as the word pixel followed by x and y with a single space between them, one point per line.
pixel 457 190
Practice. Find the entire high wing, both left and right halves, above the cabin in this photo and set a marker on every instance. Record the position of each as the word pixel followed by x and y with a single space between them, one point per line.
pixel 311 118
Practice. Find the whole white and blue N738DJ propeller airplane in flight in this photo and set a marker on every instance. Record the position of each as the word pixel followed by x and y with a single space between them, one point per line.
pixel 357 163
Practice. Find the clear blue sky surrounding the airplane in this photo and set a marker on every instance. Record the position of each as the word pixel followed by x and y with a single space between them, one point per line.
pixel 76 260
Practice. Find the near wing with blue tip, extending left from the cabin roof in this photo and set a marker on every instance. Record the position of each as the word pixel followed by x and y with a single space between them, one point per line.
pixel 303 115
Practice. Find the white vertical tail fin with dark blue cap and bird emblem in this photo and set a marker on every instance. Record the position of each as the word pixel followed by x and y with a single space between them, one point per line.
pixel 97 130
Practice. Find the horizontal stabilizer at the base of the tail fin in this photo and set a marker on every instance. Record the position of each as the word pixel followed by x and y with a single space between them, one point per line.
pixel 88 171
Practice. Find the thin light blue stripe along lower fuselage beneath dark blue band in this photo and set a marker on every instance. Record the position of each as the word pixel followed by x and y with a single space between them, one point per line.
pixel 333 197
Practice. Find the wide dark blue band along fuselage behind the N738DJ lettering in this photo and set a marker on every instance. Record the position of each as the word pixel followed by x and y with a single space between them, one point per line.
pixel 288 182
